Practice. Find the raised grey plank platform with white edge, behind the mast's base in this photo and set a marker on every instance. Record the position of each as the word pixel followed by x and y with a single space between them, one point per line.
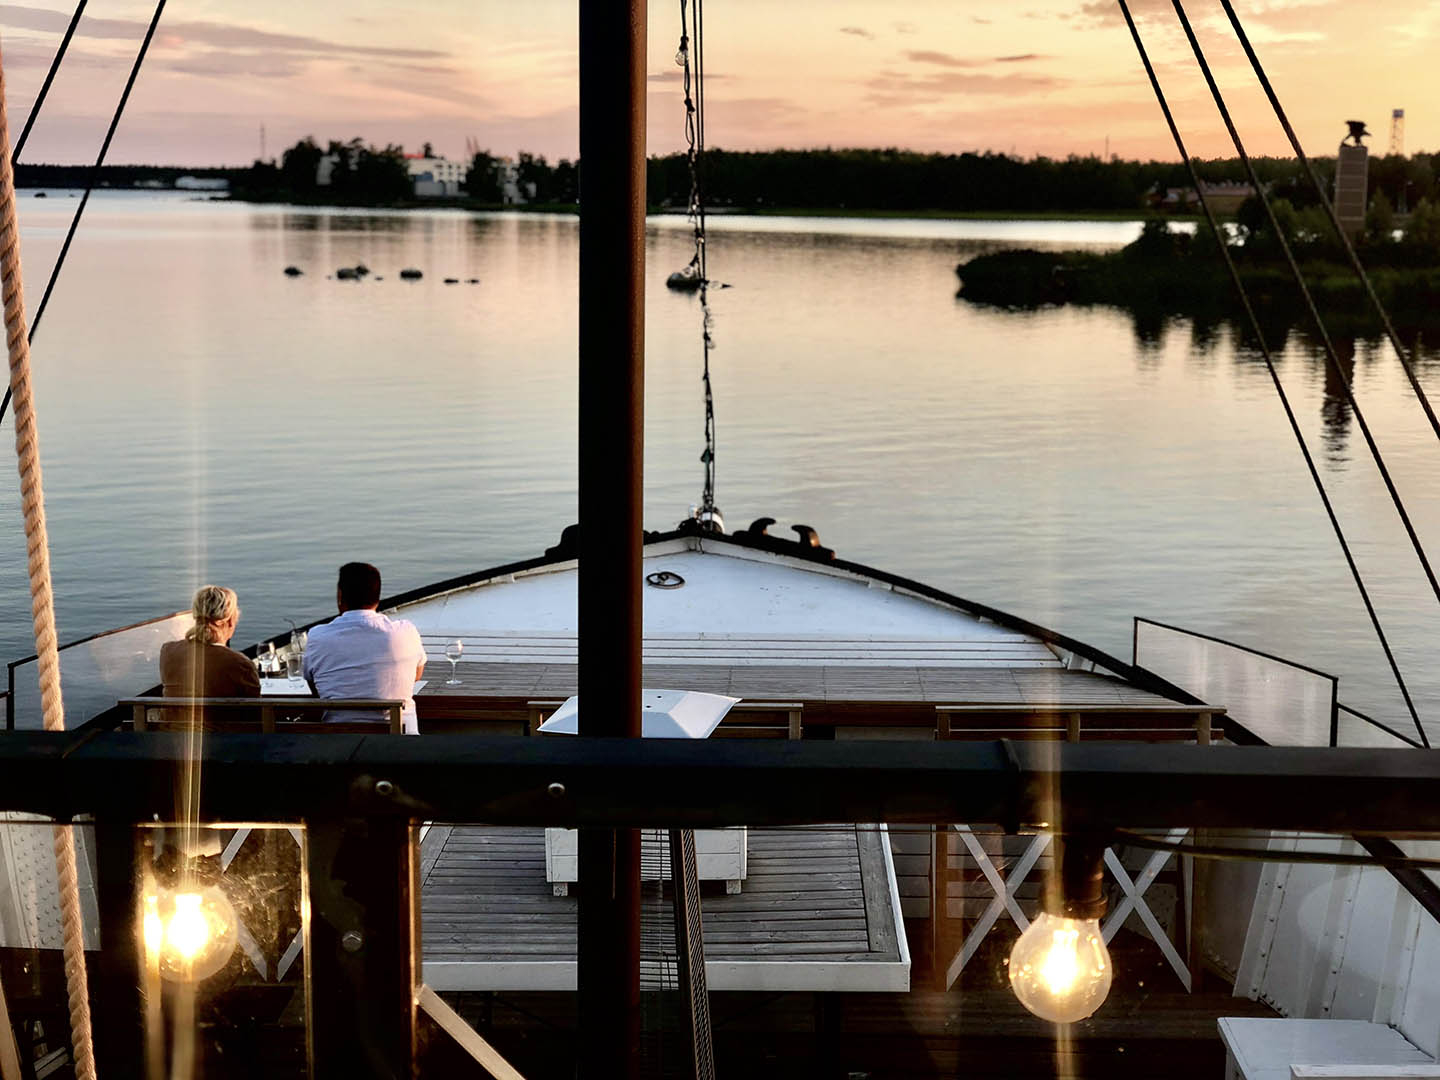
pixel 817 914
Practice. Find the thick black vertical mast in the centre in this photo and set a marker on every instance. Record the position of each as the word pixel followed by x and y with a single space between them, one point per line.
pixel 611 437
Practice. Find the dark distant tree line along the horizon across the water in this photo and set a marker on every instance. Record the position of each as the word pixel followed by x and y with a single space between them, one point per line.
pixel 886 181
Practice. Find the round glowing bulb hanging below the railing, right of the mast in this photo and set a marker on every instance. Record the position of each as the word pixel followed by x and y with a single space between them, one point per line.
pixel 1061 968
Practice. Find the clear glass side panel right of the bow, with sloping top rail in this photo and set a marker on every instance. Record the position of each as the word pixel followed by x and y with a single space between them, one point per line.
pixel 1284 703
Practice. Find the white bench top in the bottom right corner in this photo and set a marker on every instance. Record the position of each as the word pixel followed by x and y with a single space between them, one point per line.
pixel 1262 1049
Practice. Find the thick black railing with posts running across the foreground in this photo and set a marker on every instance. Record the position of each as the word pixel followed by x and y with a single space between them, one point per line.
pixel 359 800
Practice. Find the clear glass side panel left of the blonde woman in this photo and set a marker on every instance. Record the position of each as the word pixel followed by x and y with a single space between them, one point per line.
pixel 97 672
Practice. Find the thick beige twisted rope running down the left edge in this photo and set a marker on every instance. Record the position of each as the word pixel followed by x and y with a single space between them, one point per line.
pixel 42 607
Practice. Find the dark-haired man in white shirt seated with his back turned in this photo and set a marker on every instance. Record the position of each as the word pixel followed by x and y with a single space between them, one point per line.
pixel 362 653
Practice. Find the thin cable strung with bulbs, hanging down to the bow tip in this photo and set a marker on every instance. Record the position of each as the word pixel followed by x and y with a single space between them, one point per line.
pixel 692 40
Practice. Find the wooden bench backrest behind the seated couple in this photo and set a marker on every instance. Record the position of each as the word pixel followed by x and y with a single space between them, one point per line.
pixel 271 715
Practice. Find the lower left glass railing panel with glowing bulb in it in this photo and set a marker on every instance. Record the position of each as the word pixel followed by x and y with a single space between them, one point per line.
pixel 214 950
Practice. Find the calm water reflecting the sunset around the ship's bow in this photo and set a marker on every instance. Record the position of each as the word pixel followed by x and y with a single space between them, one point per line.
pixel 205 418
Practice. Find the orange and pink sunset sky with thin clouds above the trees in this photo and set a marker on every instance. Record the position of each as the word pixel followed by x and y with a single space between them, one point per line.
pixel 1035 77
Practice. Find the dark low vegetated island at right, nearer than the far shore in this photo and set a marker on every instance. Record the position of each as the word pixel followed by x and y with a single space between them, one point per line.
pixel 1177 273
